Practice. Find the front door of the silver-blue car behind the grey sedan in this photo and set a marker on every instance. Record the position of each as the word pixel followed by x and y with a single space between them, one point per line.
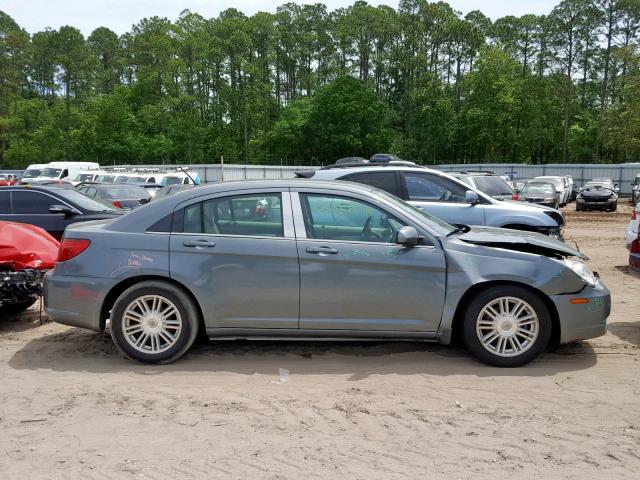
pixel 441 197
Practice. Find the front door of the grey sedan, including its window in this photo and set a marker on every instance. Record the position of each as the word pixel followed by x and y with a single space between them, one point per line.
pixel 352 274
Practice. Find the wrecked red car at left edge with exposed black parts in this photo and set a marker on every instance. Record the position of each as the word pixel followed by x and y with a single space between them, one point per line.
pixel 26 252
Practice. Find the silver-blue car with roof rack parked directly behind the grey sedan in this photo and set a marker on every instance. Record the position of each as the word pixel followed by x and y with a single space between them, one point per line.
pixel 448 198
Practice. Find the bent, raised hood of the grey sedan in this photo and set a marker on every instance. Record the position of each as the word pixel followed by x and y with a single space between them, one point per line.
pixel 520 241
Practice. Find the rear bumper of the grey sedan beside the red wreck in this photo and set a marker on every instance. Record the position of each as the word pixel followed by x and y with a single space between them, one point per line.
pixel 75 301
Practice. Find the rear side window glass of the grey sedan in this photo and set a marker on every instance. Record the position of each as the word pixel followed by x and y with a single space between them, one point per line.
pixel 244 215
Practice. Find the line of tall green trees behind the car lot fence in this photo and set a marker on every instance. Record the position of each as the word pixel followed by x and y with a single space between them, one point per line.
pixel 309 85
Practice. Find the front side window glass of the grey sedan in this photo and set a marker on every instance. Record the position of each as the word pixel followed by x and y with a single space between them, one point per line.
pixel 331 217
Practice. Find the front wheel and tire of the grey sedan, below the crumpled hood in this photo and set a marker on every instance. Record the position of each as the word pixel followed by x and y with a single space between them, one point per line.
pixel 506 326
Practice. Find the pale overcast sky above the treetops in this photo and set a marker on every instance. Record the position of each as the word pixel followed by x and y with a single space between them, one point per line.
pixel 120 15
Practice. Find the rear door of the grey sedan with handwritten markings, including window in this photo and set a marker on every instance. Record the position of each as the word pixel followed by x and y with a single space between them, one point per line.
pixel 237 253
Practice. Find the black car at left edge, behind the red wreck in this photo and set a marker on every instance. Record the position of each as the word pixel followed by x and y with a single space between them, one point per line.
pixel 51 208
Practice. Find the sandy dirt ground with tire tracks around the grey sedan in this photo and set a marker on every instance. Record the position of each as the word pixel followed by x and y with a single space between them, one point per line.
pixel 72 407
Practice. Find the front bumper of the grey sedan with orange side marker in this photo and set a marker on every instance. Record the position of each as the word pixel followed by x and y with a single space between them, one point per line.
pixel 586 320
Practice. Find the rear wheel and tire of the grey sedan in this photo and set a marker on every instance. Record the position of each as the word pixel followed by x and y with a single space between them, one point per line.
pixel 154 322
